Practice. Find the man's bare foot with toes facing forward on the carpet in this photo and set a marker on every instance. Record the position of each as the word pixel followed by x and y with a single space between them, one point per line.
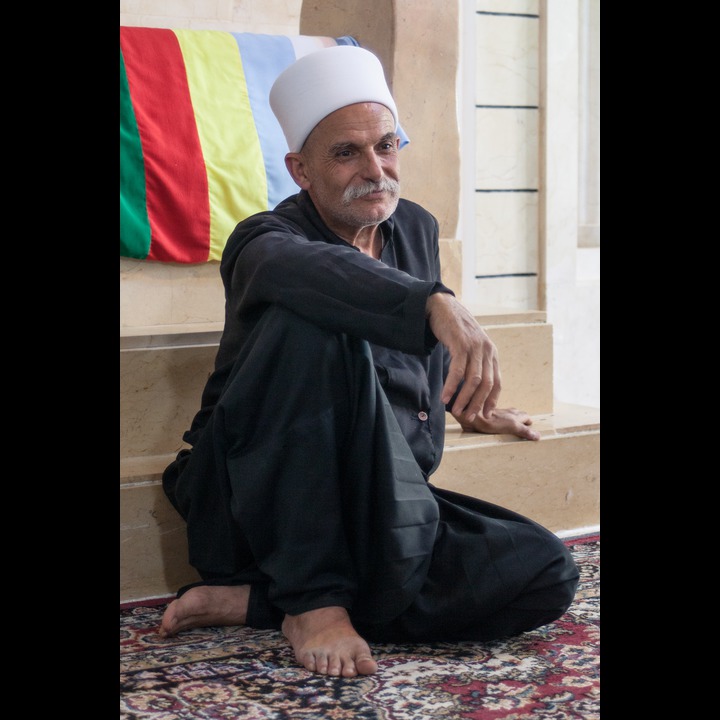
pixel 325 642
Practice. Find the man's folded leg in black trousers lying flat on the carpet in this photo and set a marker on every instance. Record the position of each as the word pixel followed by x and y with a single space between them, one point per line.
pixel 494 574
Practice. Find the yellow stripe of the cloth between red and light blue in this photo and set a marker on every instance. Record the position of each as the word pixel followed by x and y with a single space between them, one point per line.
pixel 237 184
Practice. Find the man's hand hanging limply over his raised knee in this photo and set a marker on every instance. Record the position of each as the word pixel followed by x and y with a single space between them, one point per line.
pixel 473 359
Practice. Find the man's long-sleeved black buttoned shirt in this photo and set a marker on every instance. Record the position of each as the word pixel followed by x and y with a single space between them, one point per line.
pixel 289 256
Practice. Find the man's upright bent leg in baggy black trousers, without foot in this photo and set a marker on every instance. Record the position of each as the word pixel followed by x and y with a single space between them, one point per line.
pixel 323 485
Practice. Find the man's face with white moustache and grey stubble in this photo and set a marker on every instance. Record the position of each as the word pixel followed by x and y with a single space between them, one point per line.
pixel 352 167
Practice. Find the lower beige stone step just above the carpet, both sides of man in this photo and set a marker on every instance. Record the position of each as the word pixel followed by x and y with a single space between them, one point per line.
pixel 554 481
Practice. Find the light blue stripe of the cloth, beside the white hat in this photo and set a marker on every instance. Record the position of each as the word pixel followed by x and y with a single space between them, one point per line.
pixel 264 57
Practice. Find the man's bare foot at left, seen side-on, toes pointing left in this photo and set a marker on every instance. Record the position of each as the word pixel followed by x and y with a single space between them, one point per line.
pixel 206 606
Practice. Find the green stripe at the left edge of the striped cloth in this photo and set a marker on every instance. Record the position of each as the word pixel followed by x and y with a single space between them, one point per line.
pixel 134 223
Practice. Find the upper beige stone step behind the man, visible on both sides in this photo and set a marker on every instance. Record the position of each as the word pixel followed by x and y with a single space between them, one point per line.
pixel 162 375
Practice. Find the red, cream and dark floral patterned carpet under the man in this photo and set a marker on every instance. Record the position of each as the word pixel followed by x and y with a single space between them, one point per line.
pixel 551 673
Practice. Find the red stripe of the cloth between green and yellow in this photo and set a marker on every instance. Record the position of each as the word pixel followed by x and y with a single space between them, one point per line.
pixel 177 190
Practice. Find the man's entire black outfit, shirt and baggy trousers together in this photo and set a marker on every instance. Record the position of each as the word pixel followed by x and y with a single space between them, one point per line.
pixel 318 431
